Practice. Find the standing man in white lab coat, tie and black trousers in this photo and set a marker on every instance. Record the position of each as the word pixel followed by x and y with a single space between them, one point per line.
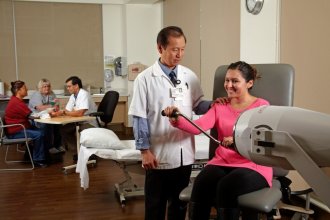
pixel 167 153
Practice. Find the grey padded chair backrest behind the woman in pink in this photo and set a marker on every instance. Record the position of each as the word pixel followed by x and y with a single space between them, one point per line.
pixel 276 85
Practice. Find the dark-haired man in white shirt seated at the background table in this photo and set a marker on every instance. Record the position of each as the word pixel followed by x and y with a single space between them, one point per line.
pixel 79 104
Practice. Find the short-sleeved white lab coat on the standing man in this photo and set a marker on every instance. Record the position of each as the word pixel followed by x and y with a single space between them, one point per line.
pixel 151 95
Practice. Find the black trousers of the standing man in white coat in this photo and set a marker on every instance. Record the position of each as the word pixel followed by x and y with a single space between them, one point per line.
pixel 162 187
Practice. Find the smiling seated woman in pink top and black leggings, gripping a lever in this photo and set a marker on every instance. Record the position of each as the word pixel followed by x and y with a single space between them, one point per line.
pixel 228 174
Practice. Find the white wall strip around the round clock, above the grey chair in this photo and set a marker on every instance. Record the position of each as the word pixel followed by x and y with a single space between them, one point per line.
pixel 260 33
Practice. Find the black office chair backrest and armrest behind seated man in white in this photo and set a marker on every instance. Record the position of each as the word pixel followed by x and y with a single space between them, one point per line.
pixel 106 108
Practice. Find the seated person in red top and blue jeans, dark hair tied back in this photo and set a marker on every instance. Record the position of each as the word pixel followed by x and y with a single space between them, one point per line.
pixel 17 112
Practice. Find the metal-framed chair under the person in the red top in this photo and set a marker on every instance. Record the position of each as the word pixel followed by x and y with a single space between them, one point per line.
pixel 4 141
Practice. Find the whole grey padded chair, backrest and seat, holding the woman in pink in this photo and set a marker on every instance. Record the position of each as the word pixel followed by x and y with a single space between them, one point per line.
pixel 277 86
